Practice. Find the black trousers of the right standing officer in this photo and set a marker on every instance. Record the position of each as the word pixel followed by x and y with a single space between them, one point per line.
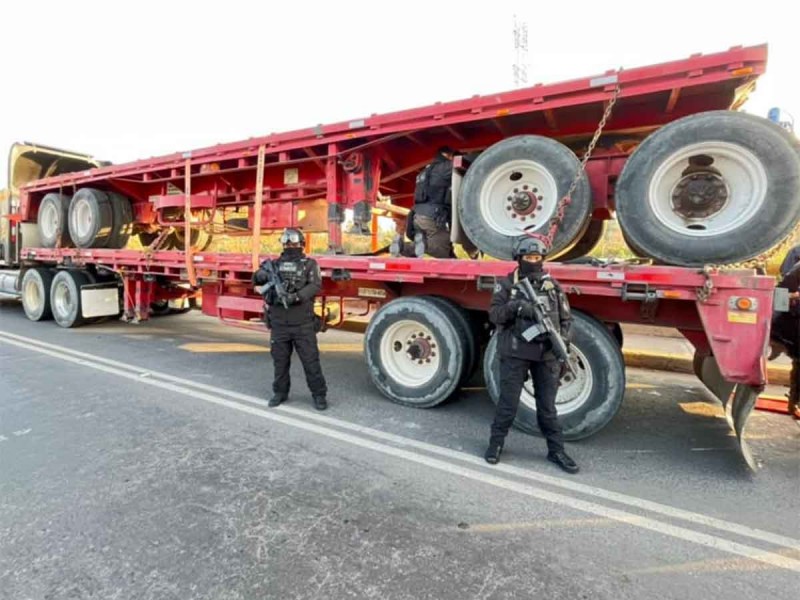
pixel 545 374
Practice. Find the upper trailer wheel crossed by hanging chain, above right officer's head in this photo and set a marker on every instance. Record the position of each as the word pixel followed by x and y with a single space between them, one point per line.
pixel 513 188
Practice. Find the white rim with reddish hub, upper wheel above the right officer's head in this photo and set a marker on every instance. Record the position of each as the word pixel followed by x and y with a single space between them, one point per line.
pixel 501 201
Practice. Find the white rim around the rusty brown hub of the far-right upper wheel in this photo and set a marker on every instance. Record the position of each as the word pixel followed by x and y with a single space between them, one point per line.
pixel 745 184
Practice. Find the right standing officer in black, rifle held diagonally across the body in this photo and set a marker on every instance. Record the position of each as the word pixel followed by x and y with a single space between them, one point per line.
pixel 513 314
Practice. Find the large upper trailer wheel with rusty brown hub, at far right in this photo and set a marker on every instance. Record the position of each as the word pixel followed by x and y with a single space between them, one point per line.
pixel 704 180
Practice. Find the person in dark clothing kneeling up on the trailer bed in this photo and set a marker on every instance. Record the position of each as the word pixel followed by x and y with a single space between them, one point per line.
pixel 429 225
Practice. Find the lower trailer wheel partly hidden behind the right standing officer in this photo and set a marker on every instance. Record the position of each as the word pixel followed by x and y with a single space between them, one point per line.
pixel 585 402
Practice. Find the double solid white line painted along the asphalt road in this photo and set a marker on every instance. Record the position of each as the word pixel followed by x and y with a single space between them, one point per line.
pixel 279 415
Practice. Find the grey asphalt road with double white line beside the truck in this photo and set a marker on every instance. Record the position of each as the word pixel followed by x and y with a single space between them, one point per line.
pixel 142 462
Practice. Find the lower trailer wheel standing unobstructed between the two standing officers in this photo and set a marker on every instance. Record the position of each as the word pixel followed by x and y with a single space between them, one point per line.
pixel 415 352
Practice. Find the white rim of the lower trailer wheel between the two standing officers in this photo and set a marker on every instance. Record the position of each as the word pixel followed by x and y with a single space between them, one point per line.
pixel 410 353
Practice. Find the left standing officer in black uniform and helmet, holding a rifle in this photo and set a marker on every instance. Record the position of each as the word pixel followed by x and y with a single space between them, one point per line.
pixel 290 316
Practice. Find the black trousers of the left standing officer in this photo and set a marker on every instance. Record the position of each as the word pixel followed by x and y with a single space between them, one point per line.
pixel 303 338
